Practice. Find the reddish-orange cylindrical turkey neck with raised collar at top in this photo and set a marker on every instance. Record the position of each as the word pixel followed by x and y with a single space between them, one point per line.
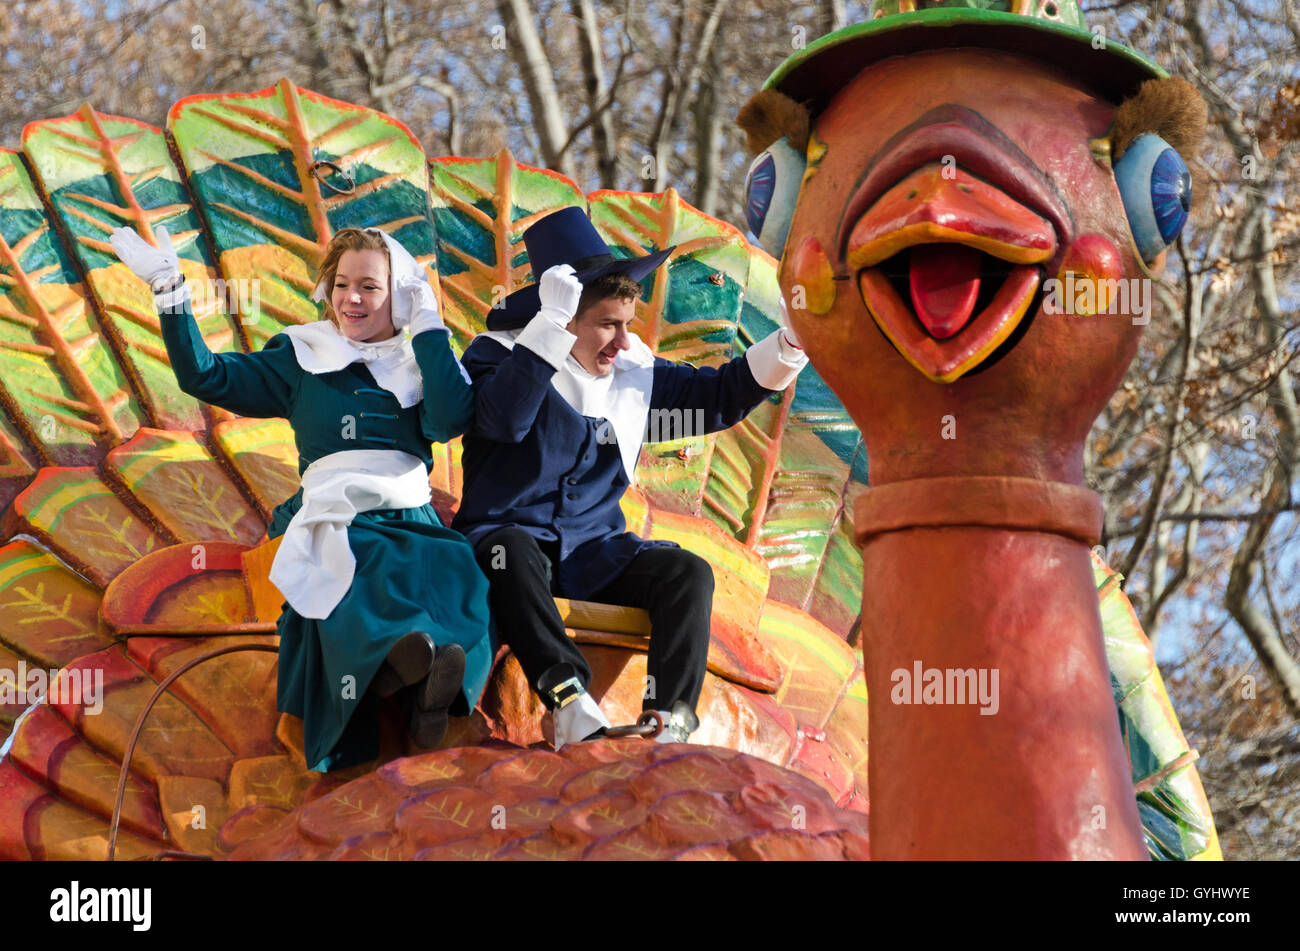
pixel 993 728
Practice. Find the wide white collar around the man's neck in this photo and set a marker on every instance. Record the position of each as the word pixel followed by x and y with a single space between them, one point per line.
pixel 622 397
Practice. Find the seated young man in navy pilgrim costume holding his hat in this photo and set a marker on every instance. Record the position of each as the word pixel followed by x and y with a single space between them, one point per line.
pixel 564 392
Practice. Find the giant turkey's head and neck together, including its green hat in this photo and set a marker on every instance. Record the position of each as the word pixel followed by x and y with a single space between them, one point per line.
pixel 972 202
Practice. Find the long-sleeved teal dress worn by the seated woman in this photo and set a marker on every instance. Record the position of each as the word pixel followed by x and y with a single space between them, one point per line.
pixel 413 574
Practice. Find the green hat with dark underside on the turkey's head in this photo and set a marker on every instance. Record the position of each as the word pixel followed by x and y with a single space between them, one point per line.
pixel 1050 31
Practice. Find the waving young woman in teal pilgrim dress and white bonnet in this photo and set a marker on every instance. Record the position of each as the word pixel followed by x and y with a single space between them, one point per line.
pixel 382 598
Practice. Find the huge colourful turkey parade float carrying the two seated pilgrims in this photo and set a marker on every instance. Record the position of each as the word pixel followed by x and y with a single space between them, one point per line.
pixel 133 577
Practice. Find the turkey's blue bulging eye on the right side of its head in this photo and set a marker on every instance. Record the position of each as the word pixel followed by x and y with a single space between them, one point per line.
pixel 1156 189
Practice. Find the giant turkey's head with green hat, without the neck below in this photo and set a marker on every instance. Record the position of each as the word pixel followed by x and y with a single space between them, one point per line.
pixel 970 206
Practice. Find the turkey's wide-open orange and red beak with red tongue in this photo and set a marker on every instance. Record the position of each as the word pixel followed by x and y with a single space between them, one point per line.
pixel 951 231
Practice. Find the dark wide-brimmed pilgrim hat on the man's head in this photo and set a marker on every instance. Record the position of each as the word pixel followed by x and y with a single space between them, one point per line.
pixel 566 237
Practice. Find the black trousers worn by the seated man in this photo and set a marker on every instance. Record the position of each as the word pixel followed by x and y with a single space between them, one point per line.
pixel 674 585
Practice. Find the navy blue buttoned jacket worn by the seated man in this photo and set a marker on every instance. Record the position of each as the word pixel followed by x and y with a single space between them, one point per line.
pixel 532 462
